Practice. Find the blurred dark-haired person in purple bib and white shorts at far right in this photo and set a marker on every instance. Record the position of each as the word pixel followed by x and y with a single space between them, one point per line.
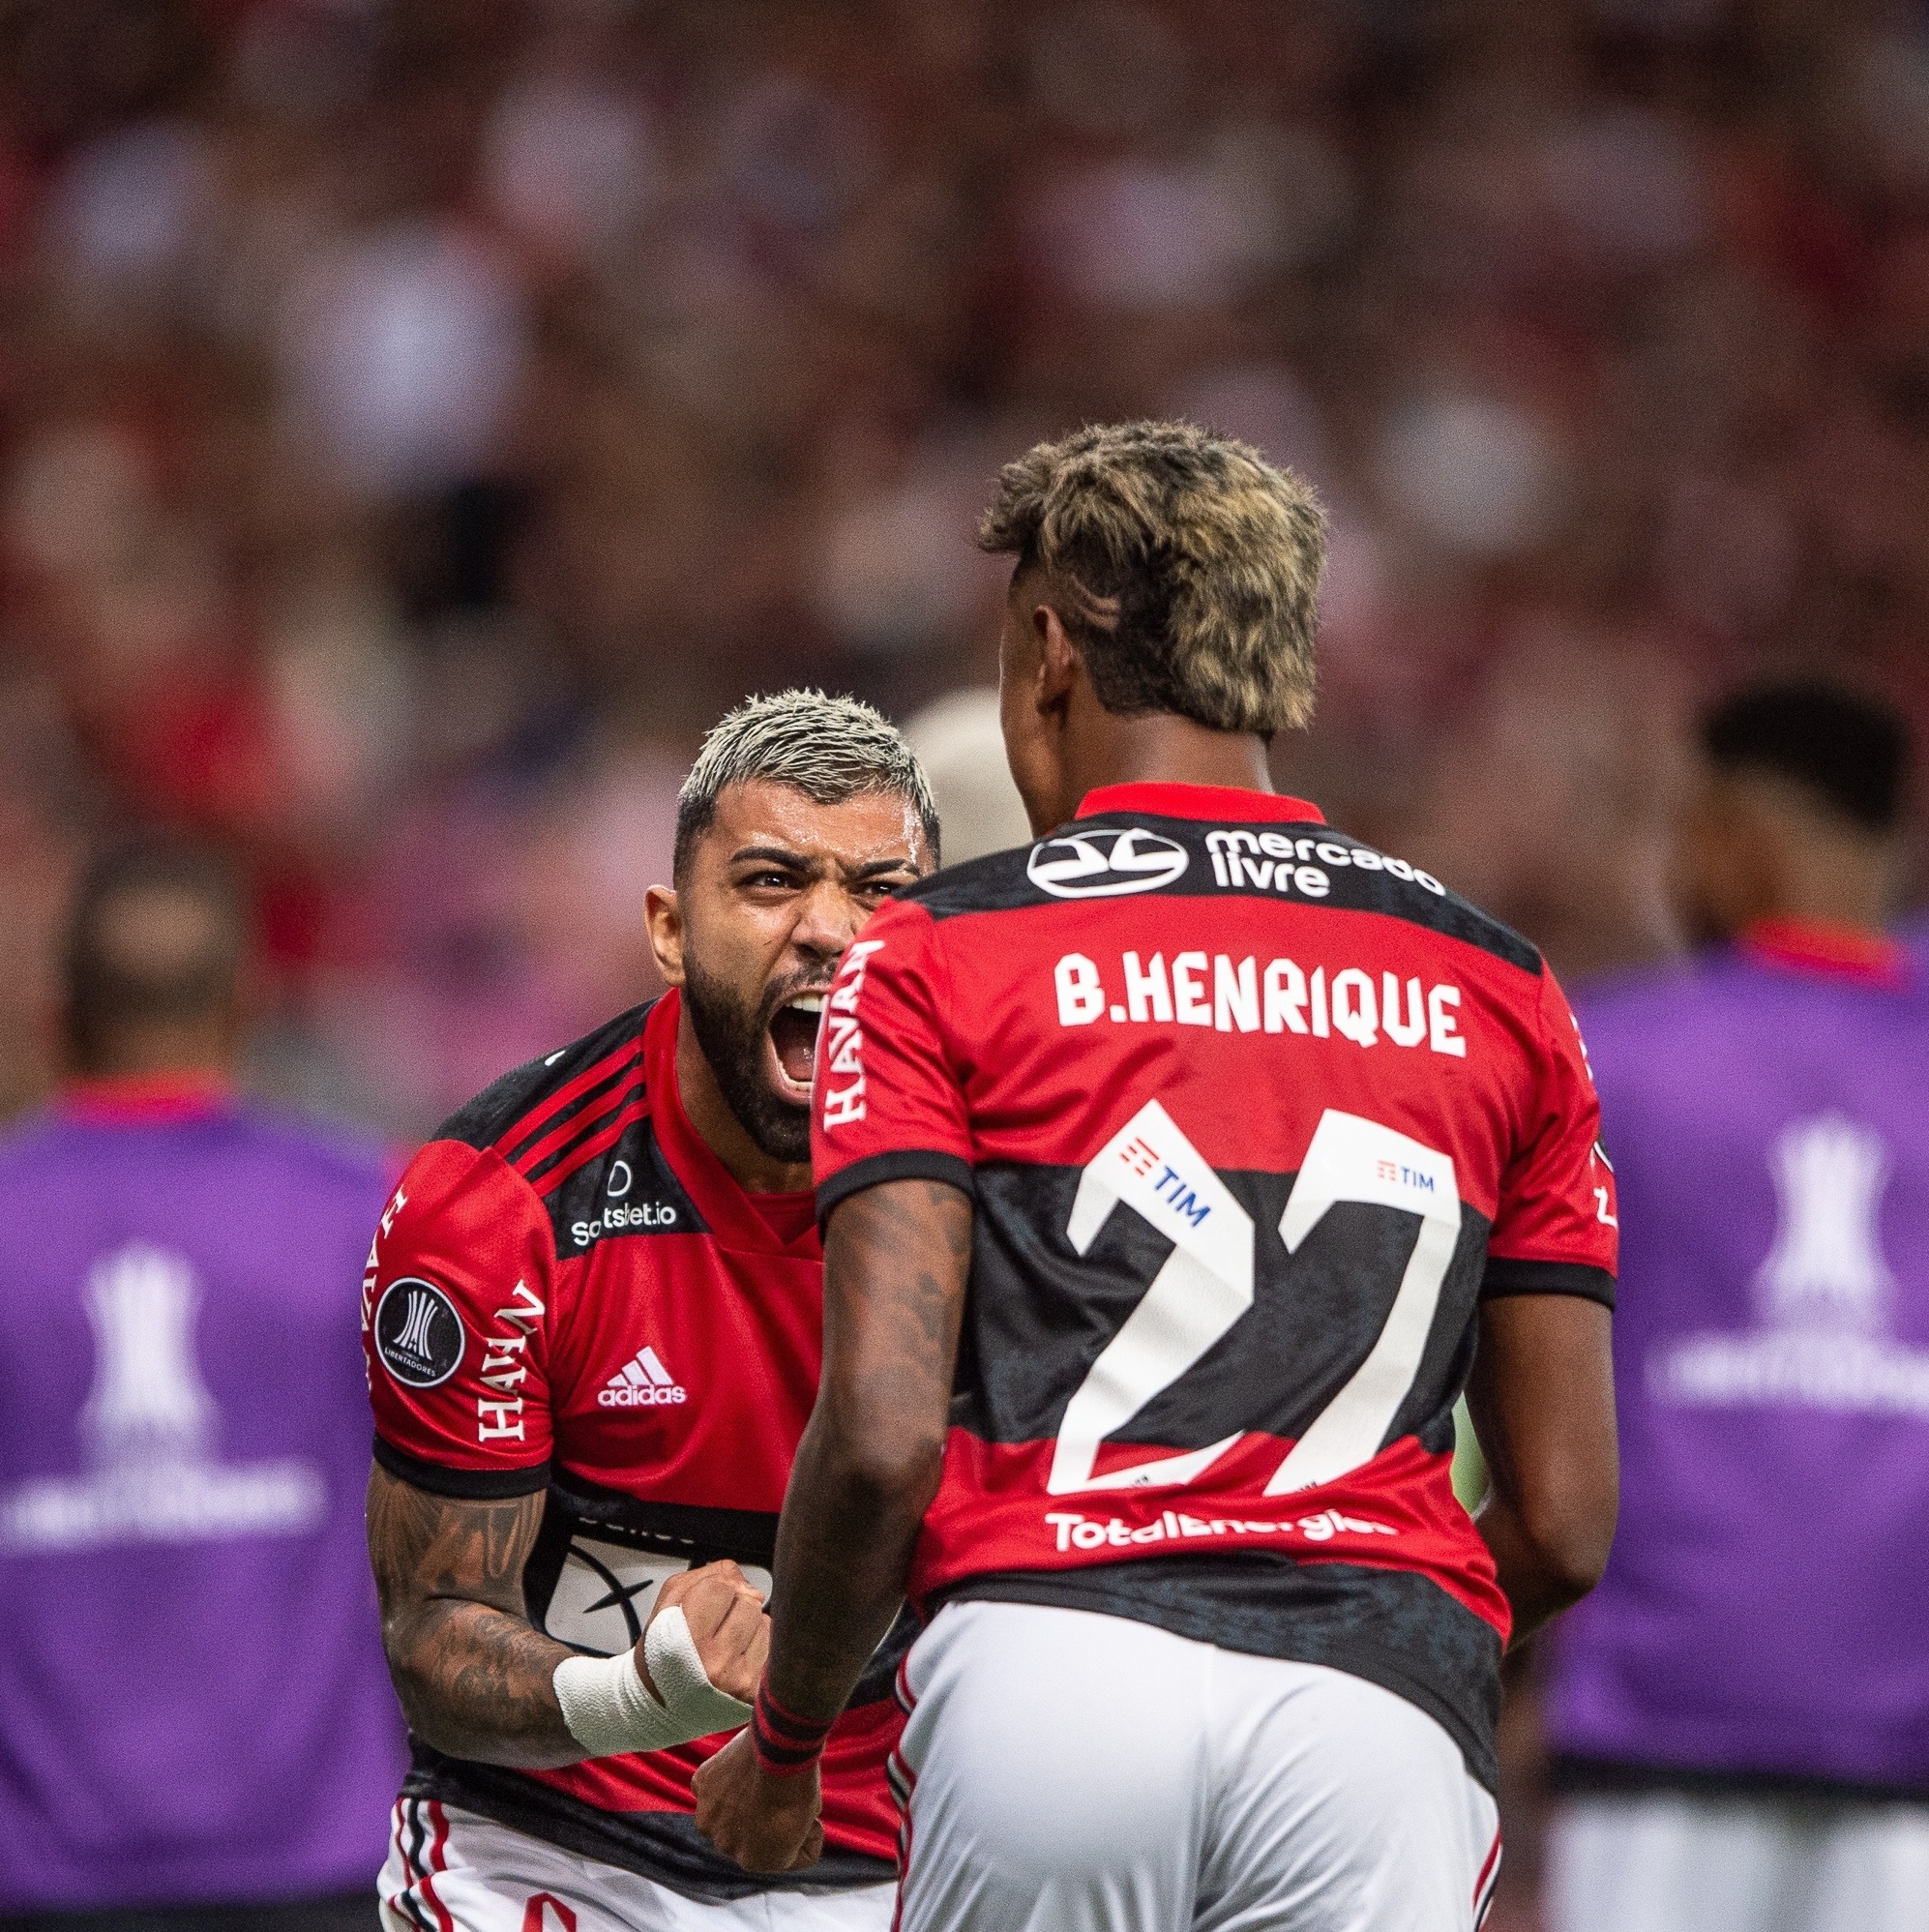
pixel 1741 1713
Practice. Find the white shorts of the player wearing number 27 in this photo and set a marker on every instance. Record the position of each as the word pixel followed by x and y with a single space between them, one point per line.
pixel 1074 1773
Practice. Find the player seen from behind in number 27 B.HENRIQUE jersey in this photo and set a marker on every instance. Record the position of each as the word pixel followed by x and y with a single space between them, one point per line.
pixel 1172 1172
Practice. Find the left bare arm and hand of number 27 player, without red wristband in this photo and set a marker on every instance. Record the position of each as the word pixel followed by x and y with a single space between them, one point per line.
pixel 896 1263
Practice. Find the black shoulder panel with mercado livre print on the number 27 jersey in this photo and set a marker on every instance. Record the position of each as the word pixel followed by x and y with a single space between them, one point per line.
pixel 1114 857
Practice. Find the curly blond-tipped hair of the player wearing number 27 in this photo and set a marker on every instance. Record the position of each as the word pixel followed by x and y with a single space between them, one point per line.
pixel 1195 569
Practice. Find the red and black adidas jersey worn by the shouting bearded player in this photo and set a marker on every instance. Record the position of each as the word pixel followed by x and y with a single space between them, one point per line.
pixel 571 1293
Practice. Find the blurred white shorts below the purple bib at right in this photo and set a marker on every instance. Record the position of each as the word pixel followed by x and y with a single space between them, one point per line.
pixel 1681 1863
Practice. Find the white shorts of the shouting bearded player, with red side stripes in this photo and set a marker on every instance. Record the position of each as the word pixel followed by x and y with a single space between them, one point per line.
pixel 451 1871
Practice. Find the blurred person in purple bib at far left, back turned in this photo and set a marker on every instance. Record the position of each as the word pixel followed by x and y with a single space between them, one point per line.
pixel 196 1728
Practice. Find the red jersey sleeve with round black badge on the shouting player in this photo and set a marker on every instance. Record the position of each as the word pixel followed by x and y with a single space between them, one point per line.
pixel 455 1324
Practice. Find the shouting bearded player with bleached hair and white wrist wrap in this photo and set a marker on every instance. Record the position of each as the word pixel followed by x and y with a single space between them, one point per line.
pixel 594 1321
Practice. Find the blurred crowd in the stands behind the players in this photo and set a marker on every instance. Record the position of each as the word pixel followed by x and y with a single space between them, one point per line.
pixel 420 418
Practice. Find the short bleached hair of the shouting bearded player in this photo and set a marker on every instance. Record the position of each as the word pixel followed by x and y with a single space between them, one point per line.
pixel 828 749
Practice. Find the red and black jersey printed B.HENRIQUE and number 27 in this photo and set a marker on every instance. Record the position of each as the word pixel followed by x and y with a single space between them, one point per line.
pixel 1253 1118
